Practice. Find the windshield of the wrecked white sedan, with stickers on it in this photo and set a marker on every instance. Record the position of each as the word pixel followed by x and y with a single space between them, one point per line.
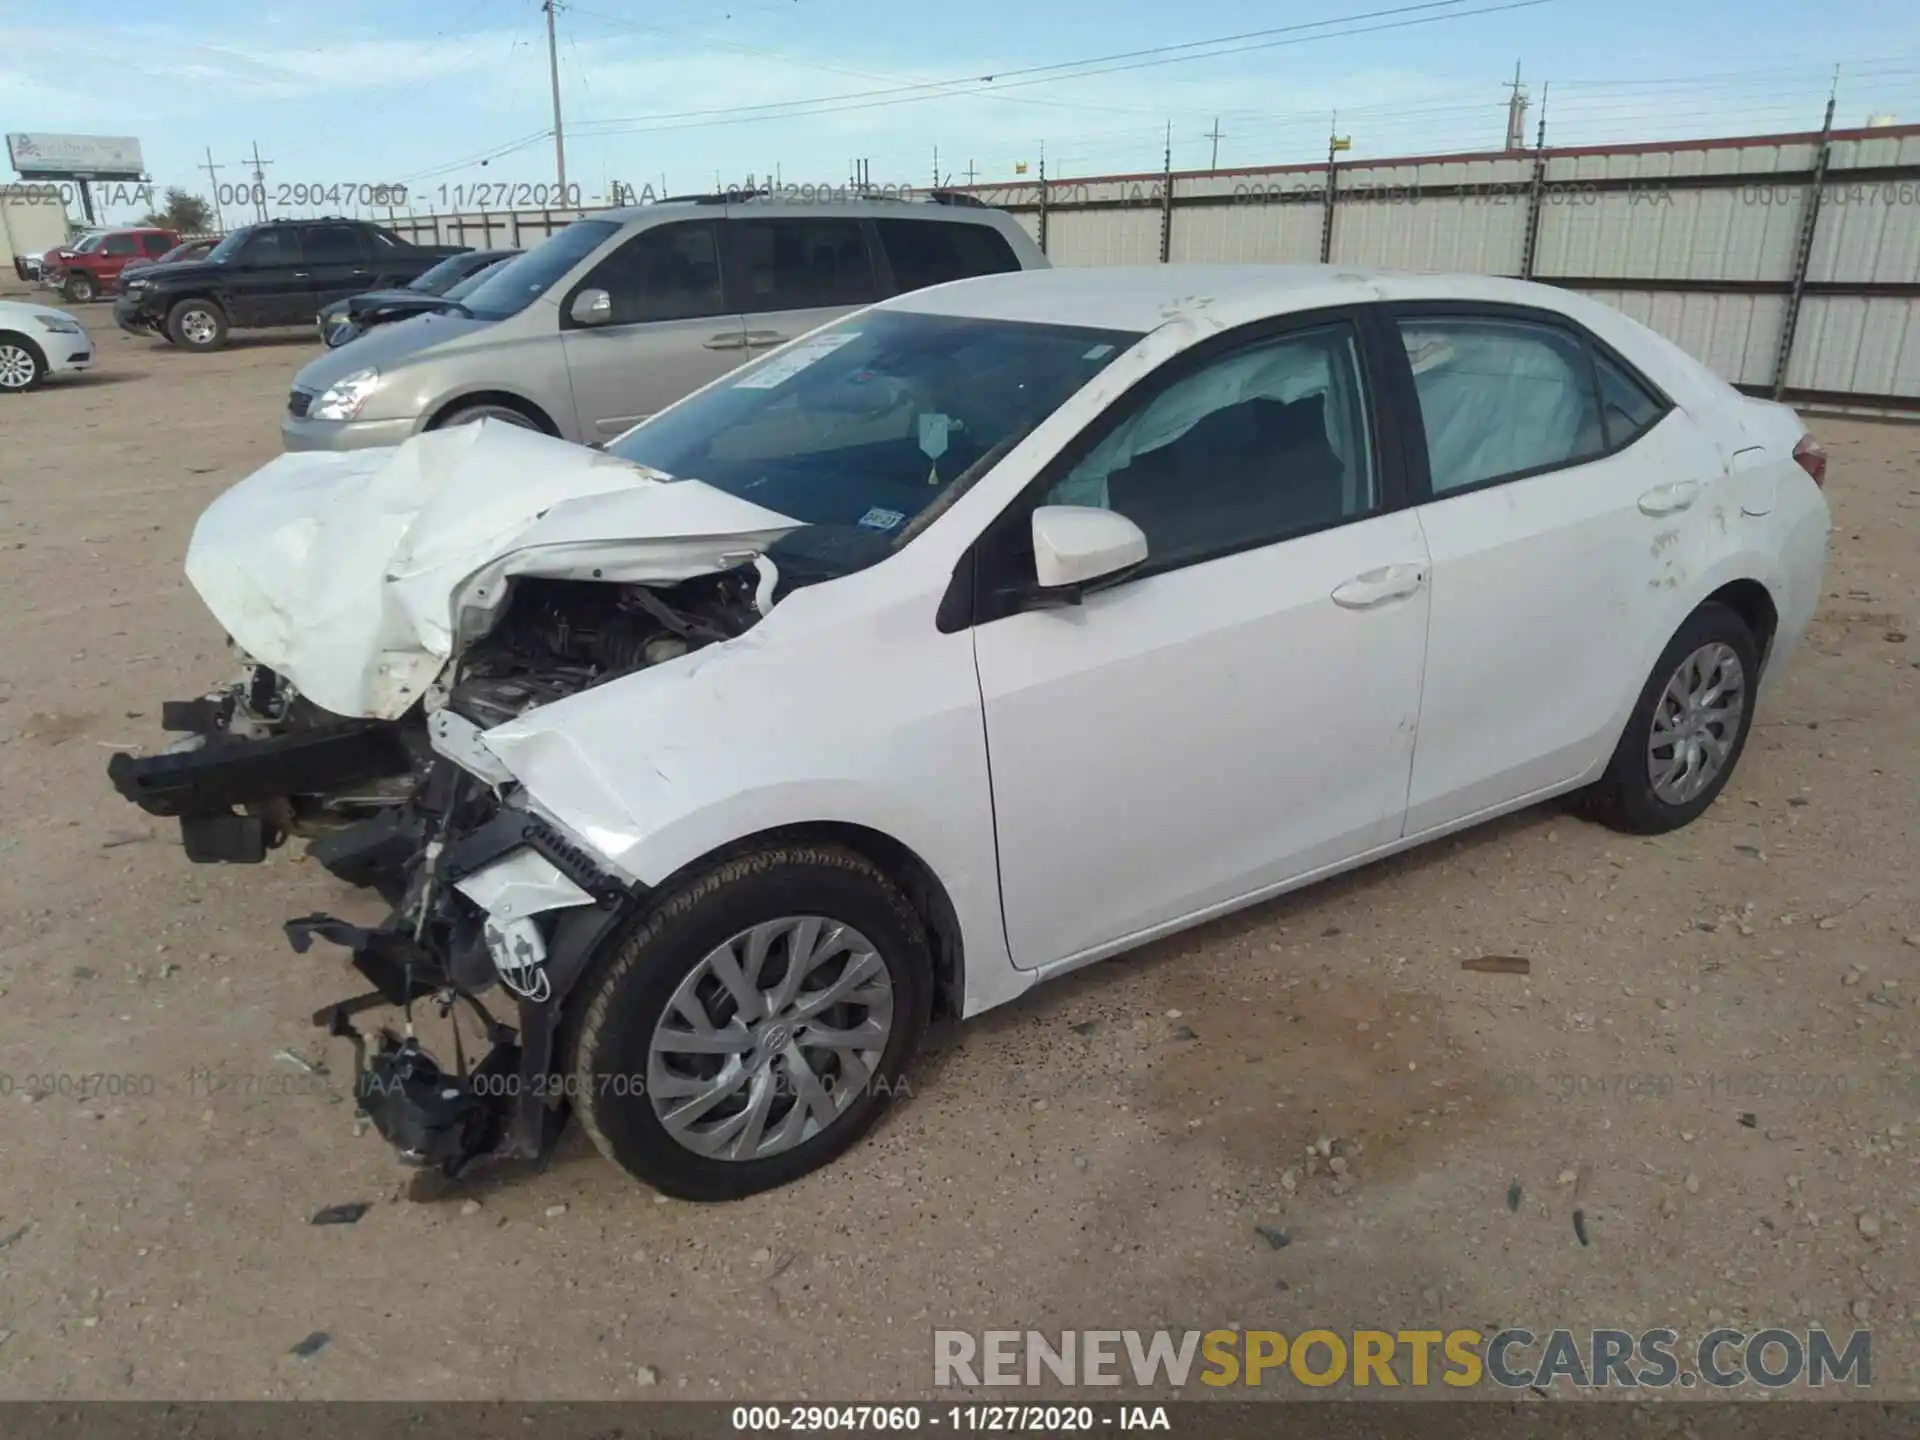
pixel 865 425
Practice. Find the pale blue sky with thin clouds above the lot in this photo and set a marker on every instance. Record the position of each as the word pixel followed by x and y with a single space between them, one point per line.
pixel 677 91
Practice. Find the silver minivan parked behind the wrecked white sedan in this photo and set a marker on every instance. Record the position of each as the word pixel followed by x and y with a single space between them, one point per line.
pixel 623 314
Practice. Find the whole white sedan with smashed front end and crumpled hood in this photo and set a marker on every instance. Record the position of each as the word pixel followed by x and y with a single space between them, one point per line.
pixel 965 642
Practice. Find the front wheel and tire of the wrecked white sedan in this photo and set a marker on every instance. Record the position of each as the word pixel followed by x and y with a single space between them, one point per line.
pixel 619 1082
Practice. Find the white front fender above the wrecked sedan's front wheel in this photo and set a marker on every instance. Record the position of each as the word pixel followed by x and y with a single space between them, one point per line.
pixel 813 717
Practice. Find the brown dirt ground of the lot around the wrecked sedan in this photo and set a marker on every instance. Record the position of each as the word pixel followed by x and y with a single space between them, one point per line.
pixel 1717 1034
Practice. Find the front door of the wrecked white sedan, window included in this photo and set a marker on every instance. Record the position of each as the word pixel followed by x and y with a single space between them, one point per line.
pixel 1243 711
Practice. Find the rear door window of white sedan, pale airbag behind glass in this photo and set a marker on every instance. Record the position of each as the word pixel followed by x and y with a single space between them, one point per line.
pixel 1500 398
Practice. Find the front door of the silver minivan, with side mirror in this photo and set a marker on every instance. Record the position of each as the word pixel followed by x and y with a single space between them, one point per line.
pixel 671 331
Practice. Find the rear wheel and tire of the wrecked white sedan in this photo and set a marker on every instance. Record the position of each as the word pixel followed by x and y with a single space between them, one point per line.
pixel 1629 798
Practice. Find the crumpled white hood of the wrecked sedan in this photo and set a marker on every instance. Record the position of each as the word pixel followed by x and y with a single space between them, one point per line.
pixel 350 571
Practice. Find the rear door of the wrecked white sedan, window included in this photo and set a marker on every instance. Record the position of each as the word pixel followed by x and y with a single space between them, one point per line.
pixel 1566 504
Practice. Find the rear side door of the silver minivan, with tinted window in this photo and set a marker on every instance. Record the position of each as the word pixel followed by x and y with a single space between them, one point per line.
pixel 792 274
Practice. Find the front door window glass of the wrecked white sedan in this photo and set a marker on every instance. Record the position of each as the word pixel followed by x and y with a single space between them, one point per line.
pixel 1257 446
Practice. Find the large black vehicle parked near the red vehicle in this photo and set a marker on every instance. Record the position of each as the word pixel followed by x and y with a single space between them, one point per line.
pixel 270 276
